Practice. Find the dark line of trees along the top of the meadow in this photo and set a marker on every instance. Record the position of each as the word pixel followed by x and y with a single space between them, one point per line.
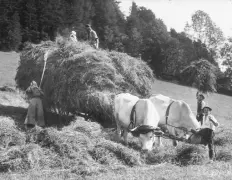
pixel 141 34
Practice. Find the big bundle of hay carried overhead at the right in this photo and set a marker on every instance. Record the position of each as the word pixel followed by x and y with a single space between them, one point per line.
pixel 201 75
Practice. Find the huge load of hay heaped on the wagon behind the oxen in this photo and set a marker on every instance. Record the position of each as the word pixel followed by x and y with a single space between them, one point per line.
pixel 79 78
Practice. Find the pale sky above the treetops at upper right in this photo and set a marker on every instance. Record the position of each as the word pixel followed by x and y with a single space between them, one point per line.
pixel 175 13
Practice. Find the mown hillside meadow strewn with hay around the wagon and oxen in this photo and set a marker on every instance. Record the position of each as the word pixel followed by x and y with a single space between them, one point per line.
pixel 86 151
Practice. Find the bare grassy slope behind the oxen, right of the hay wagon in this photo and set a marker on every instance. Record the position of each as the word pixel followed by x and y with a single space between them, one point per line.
pixel 221 104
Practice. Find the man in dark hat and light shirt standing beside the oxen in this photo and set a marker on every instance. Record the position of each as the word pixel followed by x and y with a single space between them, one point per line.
pixel 209 123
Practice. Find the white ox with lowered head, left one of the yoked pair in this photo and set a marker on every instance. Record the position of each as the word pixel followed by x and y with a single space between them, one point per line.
pixel 144 115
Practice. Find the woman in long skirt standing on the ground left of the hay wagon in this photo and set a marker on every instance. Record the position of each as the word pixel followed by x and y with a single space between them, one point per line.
pixel 35 113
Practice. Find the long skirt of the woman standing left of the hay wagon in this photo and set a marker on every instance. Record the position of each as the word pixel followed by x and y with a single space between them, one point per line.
pixel 35 113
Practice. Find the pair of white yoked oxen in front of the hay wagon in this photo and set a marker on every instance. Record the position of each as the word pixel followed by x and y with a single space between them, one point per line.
pixel 150 119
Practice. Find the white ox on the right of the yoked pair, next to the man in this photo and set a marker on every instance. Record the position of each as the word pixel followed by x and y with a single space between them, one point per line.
pixel 178 121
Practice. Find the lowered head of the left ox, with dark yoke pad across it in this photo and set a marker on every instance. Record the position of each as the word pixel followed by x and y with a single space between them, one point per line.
pixel 146 135
